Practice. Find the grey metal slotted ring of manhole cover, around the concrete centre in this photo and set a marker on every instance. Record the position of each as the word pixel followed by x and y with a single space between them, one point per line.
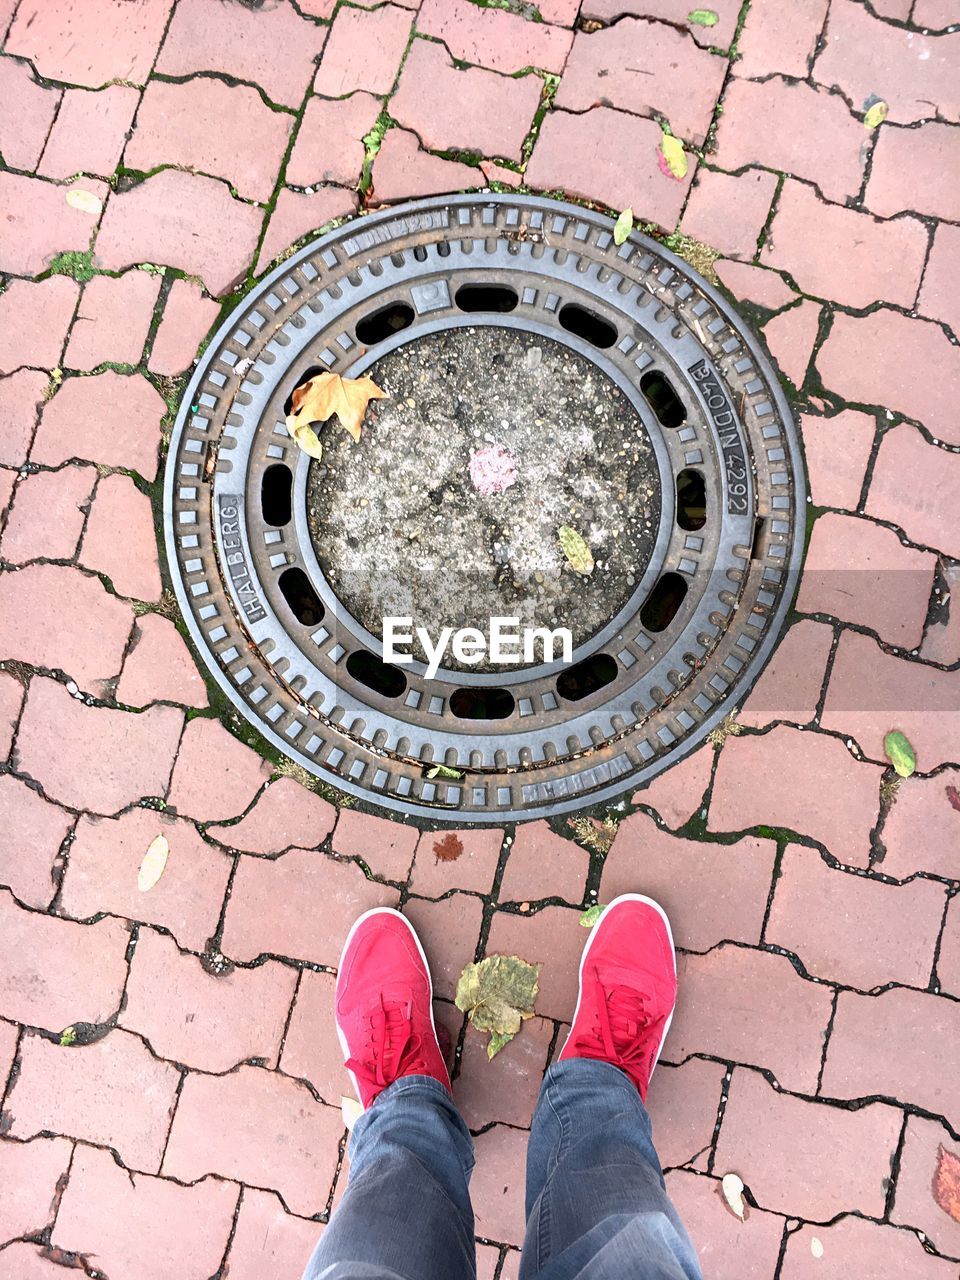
pixel 647 687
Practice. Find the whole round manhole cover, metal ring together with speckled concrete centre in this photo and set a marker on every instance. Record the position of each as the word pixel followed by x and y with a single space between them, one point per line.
pixel 609 388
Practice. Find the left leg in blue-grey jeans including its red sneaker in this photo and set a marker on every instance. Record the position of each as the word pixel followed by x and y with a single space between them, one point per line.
pixel 406 1213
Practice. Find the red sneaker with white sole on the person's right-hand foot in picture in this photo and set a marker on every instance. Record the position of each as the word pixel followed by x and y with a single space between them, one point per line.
pixel 628 990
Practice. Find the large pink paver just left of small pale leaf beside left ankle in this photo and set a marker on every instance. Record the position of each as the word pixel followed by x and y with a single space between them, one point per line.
pixel 255 1126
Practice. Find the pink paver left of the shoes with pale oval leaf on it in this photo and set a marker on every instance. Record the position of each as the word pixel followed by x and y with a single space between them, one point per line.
pixel 103 875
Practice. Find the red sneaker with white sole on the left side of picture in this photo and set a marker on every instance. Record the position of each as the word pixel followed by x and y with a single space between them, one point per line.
pixel 385 1005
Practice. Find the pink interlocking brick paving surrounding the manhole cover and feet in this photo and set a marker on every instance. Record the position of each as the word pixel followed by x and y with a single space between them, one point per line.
pixel 156 159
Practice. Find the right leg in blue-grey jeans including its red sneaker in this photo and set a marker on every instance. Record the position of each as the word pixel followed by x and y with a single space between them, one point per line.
pixel 596 1201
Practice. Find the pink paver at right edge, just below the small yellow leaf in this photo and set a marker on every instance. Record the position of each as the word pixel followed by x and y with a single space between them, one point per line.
pixel 912 170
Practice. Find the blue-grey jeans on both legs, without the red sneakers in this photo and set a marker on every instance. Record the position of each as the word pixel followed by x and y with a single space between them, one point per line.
pixel 596 1204
